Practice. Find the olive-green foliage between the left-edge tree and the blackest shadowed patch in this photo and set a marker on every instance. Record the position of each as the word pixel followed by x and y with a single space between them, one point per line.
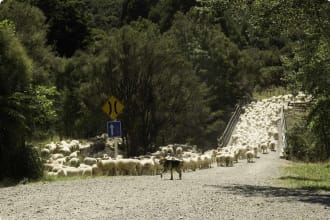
pixel 31 30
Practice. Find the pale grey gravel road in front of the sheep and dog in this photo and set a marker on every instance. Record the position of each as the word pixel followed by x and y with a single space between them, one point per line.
pixel 245 191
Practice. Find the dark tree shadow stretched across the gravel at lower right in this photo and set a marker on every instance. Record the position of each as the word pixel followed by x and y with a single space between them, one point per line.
pixel 301 195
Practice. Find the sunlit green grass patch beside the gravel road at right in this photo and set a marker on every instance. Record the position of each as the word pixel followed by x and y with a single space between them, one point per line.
pixel 312 176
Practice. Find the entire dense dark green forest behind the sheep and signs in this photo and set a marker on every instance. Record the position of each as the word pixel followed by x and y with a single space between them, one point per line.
pixel 178 66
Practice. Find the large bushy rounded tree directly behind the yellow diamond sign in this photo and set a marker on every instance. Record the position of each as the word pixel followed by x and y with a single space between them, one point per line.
pixel 149 76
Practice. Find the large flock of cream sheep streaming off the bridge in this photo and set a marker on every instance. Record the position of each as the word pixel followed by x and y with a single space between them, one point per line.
pixel 256 133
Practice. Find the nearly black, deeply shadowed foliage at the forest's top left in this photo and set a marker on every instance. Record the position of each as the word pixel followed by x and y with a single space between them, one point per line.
pixel 68 24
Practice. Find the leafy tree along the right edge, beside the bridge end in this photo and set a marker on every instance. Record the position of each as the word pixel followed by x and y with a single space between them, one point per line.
pixel 307 67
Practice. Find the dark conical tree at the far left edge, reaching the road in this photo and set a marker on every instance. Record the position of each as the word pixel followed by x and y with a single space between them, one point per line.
pixel 17 159
